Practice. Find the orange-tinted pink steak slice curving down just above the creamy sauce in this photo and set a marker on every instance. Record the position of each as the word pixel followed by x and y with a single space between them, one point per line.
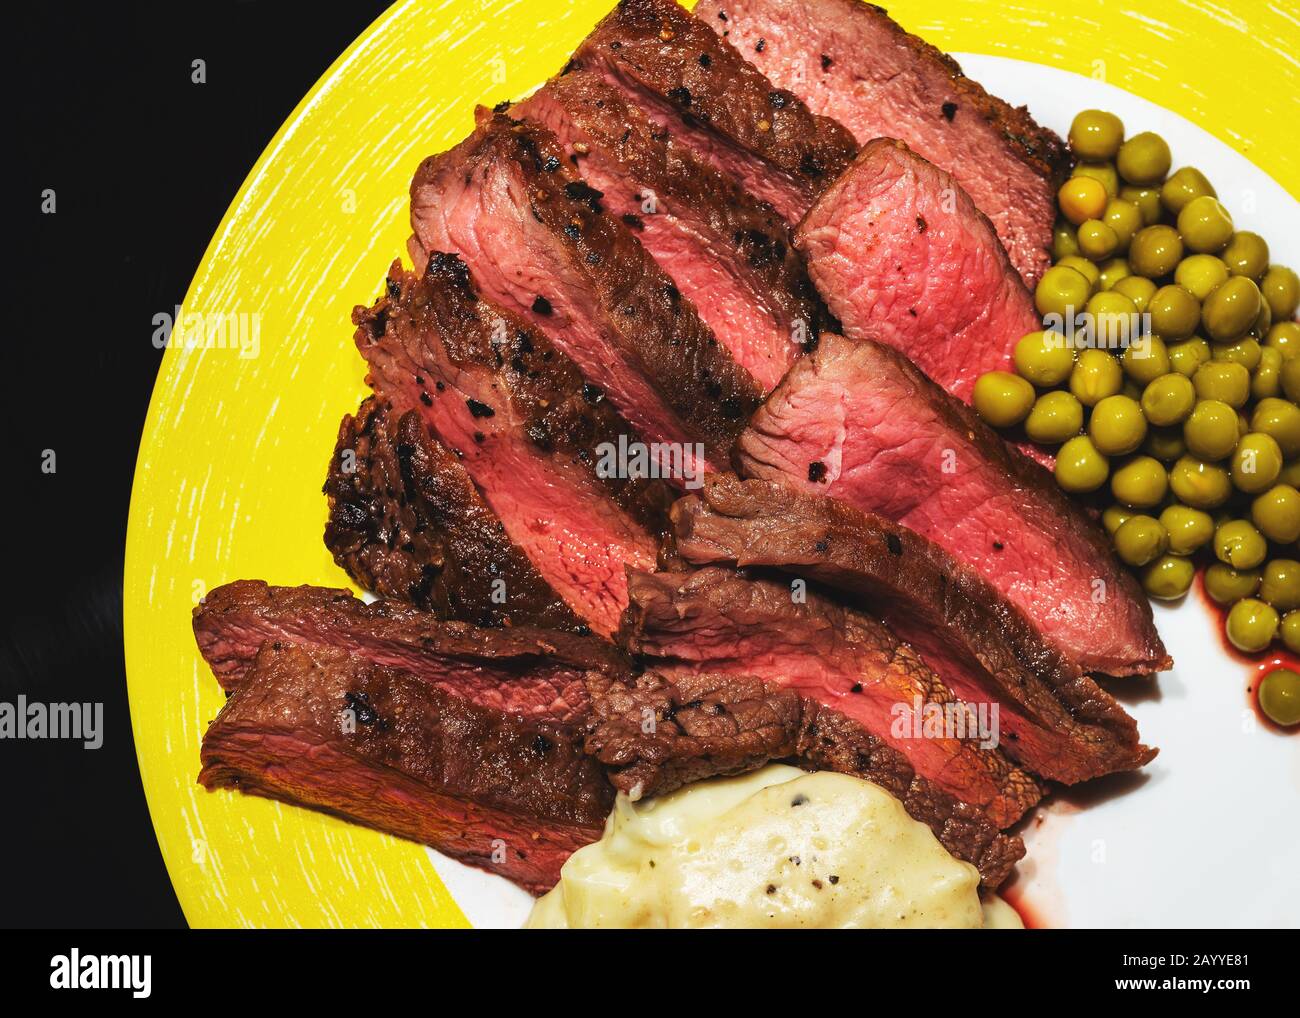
pixel 716 621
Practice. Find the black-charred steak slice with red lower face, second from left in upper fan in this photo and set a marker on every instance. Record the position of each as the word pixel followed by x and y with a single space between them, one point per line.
pixel 538 440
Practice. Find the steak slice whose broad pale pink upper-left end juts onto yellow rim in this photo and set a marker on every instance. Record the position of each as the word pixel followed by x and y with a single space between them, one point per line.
pixel 539 244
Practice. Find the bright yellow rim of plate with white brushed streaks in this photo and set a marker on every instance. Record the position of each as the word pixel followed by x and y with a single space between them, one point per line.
pixel 240 434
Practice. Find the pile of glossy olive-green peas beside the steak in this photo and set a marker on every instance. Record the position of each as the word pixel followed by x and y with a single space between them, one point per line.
pixel 1195 426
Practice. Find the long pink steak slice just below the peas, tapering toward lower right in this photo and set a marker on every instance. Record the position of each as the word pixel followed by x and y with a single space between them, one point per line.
pixel 860 423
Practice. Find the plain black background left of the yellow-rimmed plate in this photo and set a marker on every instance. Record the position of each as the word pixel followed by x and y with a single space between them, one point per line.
pixel 144 163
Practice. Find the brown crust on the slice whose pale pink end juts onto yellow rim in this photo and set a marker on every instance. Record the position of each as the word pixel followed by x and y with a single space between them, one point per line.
pixel 652 328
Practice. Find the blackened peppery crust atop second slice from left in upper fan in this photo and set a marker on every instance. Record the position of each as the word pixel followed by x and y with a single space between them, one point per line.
pixel 560 410
